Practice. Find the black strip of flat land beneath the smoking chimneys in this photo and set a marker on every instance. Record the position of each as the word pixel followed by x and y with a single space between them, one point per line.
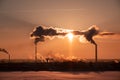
pixel 59 66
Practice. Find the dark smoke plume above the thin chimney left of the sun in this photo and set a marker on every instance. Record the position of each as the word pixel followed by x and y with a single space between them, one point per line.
pixel 39 33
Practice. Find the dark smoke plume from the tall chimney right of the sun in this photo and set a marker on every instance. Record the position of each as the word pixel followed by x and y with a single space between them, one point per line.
pixel 91 32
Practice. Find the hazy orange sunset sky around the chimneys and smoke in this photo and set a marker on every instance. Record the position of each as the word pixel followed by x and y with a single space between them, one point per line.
pixel 19 17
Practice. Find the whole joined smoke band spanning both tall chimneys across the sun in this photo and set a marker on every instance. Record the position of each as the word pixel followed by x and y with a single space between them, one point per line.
pixel 40 33
